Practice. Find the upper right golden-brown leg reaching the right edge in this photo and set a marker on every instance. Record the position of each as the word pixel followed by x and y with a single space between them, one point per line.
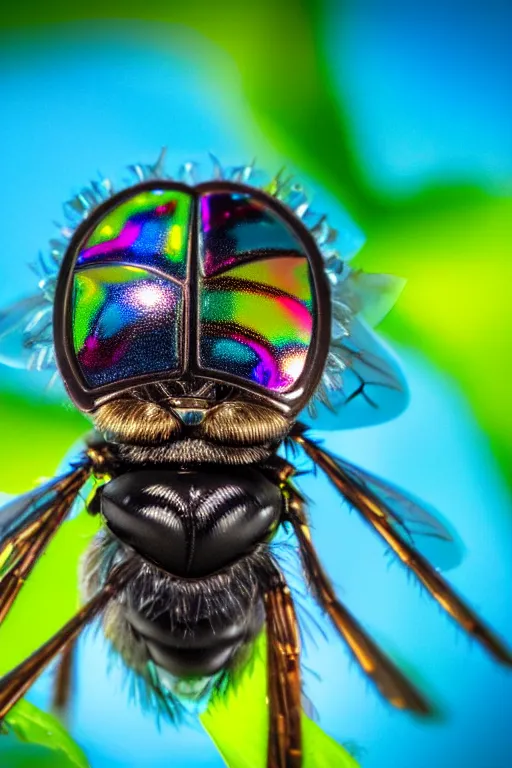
pixel 375 513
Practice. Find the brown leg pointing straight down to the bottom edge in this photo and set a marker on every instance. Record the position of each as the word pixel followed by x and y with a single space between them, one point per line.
pixel 284 680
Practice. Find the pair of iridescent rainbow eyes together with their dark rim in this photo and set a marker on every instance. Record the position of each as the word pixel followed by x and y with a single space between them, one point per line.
pixel 218 282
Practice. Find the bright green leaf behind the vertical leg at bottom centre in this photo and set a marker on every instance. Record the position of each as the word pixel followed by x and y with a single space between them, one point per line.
pixel 237 722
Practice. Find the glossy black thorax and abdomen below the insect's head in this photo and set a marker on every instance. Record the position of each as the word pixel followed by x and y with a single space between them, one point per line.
pixel 208 530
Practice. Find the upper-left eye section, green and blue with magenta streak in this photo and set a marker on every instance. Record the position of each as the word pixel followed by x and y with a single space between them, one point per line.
pixel 149 229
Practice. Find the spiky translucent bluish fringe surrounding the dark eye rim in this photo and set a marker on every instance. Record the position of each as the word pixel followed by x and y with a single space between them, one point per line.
pixel 357 298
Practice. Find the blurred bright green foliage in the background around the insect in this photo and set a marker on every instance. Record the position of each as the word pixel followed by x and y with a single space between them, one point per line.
pixel 451 242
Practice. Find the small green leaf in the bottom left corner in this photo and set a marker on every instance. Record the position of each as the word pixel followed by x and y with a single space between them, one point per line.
pixel 35 738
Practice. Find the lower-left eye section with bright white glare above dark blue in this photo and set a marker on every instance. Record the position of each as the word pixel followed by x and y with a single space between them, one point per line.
pixel 127 322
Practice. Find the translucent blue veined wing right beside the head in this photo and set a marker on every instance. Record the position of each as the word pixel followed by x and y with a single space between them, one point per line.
pixel 369 389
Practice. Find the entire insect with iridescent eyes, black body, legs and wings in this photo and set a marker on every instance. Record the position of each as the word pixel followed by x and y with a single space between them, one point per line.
pixel 195 324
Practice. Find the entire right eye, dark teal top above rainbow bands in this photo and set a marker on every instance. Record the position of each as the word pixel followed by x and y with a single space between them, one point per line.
pixel 256 312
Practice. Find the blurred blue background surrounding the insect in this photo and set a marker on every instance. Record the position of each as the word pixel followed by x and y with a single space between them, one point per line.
pixel 429 94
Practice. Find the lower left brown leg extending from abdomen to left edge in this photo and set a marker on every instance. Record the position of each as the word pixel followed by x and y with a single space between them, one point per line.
pixel 15 684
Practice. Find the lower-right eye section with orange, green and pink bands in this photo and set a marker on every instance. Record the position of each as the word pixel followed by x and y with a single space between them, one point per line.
pixel 256 322
